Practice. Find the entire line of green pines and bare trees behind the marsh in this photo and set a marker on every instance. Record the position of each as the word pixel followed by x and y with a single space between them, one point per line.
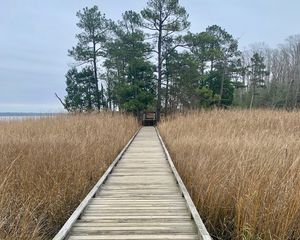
pixel 149 60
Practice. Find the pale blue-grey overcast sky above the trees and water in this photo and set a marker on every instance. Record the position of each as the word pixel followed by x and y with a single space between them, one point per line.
pixel 35 36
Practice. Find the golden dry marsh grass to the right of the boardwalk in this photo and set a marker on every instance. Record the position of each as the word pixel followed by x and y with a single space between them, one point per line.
pixel 242 169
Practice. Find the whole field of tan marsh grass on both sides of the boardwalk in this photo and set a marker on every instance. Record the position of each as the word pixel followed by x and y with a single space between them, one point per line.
pixel 242 169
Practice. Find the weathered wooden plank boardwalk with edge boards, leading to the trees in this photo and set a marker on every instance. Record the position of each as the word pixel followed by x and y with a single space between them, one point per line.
pixel 141 196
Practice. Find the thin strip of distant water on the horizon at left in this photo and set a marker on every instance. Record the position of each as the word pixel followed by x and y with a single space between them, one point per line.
pixel 8 116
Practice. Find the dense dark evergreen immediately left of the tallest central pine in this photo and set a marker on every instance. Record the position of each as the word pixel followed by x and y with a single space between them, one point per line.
pixel 130 71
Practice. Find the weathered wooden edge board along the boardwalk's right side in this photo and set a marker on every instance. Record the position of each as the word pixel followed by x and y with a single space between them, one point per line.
pixel 202 231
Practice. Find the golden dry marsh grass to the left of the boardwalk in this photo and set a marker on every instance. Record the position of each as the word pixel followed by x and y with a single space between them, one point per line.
pixel 47 167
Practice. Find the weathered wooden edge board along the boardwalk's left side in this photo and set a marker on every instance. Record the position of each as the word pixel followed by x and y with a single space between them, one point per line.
pixel 63 233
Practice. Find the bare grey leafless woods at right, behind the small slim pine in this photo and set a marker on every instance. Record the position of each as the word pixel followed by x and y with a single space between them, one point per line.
pixel 280 87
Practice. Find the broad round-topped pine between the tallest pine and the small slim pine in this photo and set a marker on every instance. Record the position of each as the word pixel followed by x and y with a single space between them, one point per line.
pixel 217 55
